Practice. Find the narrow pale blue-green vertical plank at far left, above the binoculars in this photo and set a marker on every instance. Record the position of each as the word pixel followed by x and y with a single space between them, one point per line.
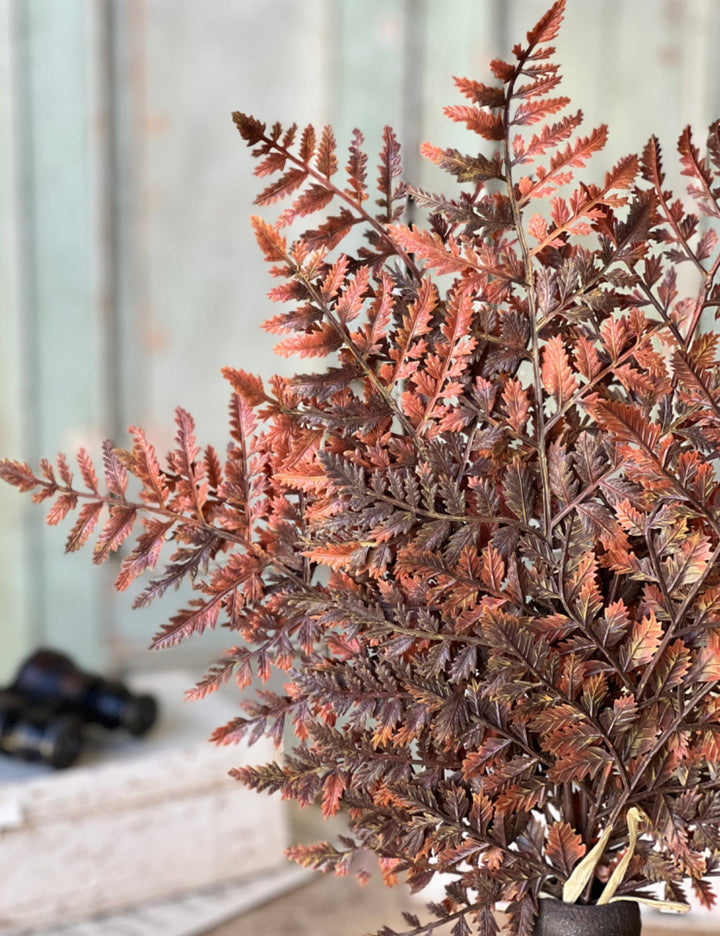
pixel 60 357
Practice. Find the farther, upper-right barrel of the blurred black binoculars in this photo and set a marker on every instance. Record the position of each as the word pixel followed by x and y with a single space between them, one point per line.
pixel 53 677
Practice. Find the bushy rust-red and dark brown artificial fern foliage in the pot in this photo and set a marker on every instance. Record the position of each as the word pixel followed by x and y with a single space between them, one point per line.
pixel 481 537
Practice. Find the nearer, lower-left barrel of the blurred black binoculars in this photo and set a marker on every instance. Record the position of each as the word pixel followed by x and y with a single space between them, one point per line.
pixel 37 731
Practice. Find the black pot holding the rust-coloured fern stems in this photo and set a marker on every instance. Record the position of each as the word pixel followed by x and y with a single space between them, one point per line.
pixel 556 918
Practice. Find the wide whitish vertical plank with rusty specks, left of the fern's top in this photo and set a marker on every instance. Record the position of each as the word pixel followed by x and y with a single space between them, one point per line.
pixel 193 283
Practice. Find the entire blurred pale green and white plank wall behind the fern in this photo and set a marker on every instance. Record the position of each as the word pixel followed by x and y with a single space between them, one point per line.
pixel 128 274
